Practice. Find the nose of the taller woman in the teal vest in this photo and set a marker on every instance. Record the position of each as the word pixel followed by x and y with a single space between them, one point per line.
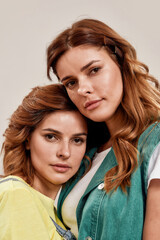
pixel 85 87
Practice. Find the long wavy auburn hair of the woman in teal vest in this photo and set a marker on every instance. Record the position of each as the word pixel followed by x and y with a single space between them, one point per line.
pixel 140 105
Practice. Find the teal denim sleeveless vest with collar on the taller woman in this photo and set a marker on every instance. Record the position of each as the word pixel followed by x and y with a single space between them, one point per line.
pixel 102 216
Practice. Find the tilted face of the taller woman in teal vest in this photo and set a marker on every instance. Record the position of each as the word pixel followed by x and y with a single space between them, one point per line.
pixel 93 81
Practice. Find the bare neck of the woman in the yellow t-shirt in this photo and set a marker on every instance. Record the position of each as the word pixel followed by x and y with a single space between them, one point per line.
pixel 45 187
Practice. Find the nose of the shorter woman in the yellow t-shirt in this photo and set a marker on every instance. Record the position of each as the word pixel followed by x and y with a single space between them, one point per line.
pixel 63 151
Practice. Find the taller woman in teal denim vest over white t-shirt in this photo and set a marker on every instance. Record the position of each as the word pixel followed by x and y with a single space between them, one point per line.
pixel 107 83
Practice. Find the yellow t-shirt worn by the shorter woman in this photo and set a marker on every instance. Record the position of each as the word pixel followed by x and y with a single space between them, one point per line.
pixel 25 213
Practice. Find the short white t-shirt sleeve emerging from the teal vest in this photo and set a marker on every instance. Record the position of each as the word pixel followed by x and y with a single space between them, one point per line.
pixel 154 165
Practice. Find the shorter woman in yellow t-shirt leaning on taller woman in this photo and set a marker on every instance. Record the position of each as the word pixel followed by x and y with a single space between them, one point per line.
pixel 43 148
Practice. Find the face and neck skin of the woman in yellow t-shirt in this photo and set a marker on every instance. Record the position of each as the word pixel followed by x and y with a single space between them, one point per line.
pixel 57 147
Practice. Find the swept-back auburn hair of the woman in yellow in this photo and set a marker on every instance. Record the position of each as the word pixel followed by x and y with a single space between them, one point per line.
pixel 40 102
